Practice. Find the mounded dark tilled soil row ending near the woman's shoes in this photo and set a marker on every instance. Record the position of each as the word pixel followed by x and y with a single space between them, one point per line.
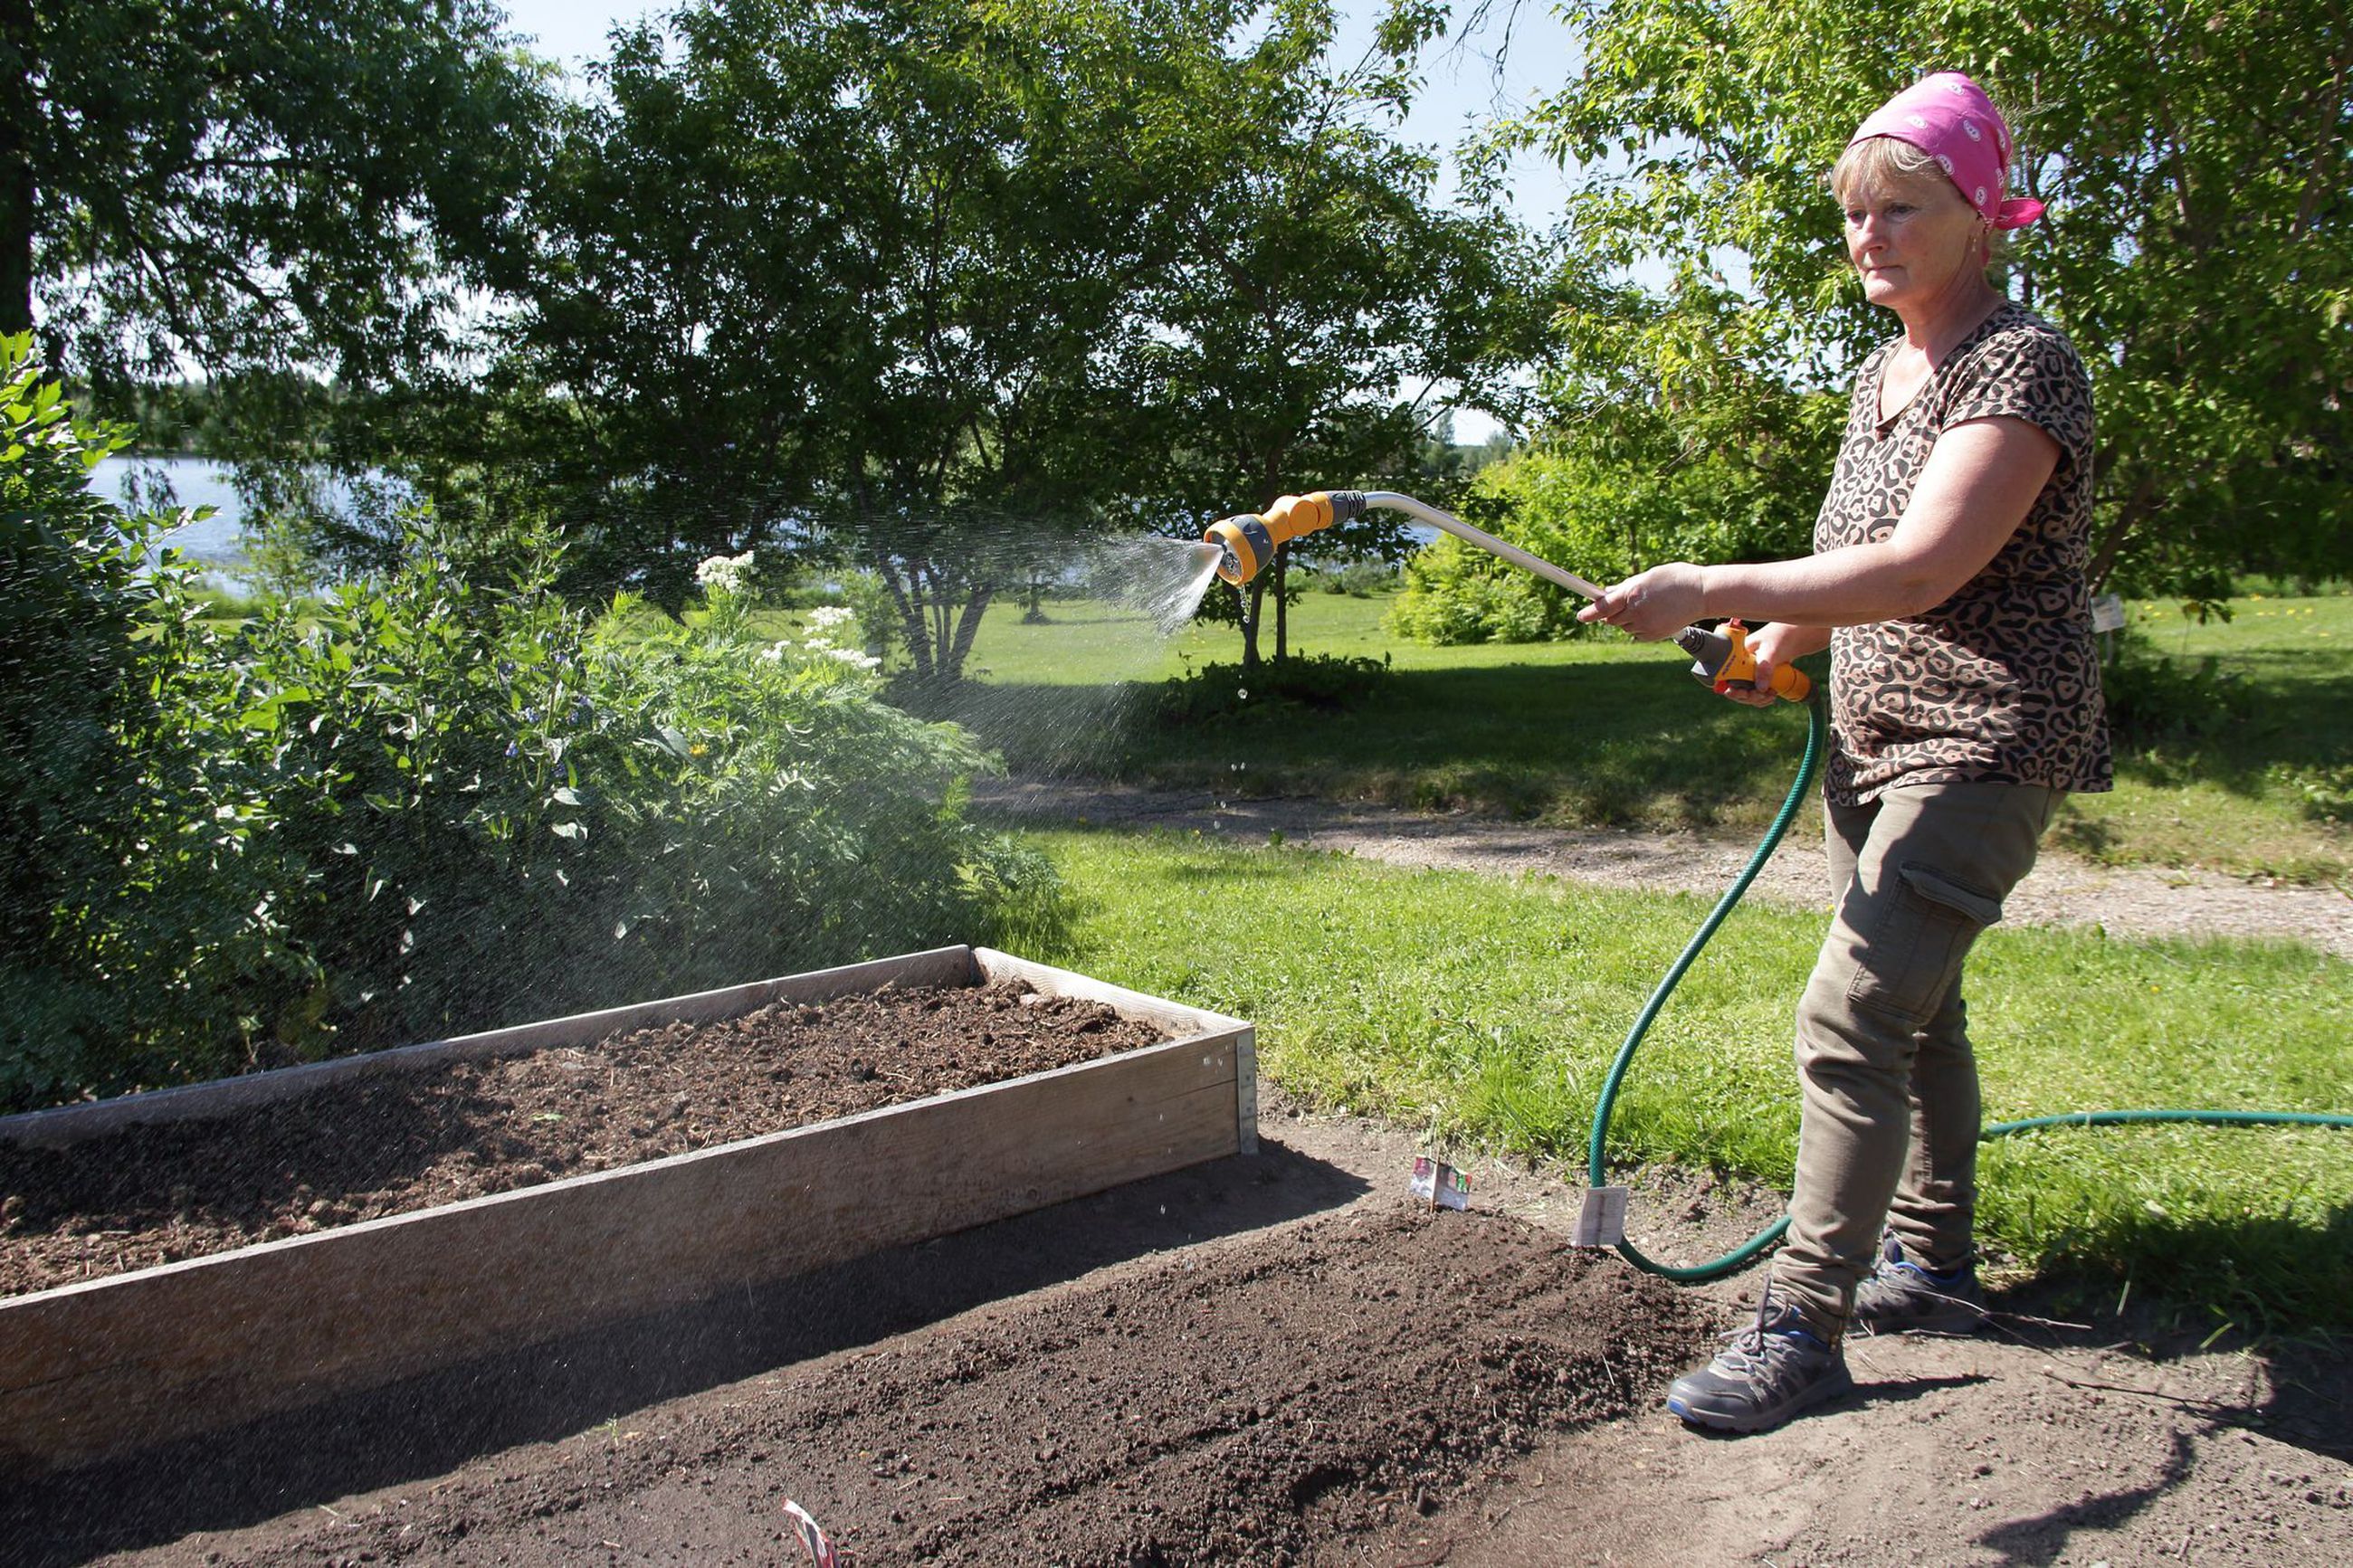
pixel 1258 1402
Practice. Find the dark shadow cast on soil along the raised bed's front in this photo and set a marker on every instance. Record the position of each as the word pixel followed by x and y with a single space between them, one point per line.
pixel 429 1426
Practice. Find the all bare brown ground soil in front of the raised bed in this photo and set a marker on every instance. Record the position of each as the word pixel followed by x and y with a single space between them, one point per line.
pixel 1262 1360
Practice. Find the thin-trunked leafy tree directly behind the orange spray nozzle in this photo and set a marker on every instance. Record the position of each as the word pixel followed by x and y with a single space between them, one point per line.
pixel 1321 279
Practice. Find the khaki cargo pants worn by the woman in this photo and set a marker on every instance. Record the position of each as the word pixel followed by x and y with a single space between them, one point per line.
pixel 1884 1045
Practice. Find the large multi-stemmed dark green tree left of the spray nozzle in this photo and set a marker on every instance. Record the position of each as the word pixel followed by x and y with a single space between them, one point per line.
pixel 862 264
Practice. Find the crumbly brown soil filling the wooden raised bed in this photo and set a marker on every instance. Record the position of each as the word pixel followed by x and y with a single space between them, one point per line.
pixel 413 1141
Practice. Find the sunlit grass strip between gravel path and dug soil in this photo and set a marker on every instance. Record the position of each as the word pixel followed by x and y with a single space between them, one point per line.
pixel 1486 1012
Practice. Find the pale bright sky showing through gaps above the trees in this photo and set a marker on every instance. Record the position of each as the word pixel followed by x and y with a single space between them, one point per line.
pixel 1462 88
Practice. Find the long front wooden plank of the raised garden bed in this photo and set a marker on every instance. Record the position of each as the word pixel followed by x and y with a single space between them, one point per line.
pixel 107 1367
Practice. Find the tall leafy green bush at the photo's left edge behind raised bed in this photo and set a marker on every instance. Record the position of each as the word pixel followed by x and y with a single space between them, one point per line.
pixel 142 925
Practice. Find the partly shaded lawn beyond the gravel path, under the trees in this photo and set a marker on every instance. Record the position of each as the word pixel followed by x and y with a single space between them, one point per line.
pixel 1613 732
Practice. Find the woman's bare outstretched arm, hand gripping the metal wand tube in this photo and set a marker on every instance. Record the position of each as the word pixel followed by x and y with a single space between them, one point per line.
pixel 1975 490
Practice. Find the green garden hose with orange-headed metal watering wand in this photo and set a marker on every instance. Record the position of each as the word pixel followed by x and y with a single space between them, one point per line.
pixel 1721 657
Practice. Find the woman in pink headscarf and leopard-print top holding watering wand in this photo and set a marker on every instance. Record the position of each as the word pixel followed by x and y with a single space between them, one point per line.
pixel 1949 587
